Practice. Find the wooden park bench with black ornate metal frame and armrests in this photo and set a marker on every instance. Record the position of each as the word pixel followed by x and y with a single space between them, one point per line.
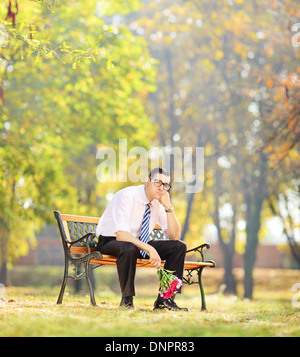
pixel 79 242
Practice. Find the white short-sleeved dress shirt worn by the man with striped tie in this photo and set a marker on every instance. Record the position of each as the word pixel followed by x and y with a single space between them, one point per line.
pixel 126 210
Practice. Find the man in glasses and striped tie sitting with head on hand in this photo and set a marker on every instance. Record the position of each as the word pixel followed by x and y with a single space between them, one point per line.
pixel 124 228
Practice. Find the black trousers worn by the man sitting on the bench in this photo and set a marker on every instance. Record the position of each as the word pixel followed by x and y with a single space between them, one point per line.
pixel 172 251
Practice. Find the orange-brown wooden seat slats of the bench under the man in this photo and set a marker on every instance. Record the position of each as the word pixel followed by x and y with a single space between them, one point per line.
pixel 111 260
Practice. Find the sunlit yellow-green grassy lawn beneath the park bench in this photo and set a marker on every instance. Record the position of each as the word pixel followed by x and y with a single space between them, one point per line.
pixel 32 311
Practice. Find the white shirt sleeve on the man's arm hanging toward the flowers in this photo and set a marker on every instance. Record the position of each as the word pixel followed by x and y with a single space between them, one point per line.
pixel 121 212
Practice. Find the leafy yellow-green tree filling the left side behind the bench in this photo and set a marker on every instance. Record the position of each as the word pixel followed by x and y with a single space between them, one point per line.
pixel 70 82
